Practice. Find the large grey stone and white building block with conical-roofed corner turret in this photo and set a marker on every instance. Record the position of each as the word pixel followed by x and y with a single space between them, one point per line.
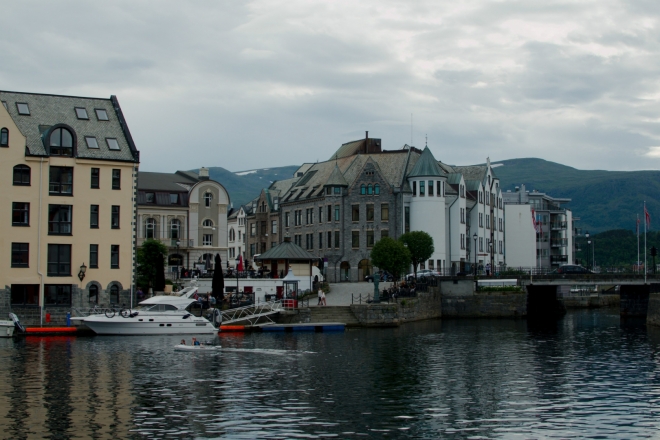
pixel 338 209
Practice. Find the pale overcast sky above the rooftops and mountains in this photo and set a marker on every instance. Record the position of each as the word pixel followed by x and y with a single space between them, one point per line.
pixel 265 83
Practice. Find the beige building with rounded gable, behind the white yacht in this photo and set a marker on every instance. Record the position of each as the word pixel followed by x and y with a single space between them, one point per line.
pixel 187 212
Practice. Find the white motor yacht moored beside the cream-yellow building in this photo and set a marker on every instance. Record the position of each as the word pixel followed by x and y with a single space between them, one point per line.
pixel 158 315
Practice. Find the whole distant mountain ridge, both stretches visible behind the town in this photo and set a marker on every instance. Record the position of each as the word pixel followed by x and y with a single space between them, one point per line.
pixel 603 200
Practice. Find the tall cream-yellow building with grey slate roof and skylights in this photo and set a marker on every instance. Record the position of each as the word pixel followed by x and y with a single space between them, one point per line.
pixel 70 168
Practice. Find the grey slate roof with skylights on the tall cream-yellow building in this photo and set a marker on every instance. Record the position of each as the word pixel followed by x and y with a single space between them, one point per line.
pixel 49 110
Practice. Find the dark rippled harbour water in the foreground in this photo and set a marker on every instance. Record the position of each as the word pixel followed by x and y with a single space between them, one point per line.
pixel 589 375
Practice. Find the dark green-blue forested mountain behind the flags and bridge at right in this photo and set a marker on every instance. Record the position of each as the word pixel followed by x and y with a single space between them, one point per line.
pixel 603 200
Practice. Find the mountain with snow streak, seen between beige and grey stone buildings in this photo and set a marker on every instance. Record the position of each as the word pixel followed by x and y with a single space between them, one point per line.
pixel 243 186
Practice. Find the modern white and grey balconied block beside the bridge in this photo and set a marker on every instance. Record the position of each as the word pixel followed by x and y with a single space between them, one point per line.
pixel 539 229
